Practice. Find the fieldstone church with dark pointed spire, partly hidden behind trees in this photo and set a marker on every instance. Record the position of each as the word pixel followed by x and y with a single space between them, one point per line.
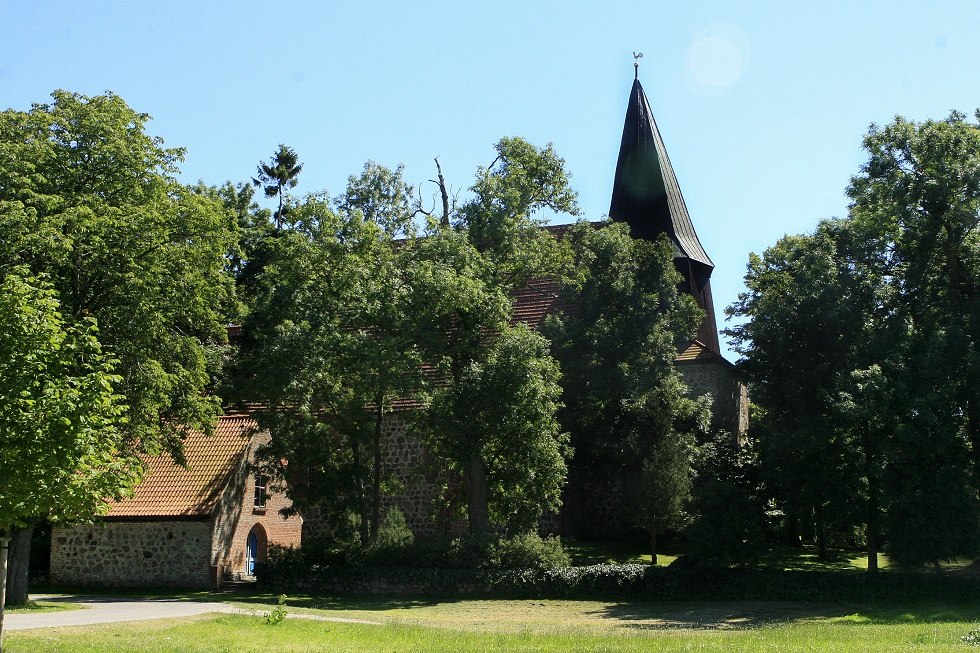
pixel 213 518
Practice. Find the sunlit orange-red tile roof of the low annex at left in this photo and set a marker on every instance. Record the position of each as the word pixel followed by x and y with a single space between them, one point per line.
pixel 170 490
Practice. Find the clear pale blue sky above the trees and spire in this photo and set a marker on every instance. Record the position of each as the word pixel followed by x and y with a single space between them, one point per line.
pixel 762 105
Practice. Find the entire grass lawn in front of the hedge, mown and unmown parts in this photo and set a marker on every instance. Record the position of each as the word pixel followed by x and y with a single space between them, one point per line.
pixel 540 626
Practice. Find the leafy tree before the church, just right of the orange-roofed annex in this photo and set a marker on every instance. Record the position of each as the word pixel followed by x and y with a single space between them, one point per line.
pixel 327 355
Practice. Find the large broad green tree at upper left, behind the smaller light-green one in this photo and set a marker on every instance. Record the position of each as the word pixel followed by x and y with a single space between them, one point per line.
pixel 88 199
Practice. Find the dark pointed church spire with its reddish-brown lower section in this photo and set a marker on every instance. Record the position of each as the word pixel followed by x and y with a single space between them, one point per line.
pixel 647 197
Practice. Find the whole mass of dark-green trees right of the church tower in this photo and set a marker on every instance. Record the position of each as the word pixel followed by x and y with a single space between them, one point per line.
pixel 861 349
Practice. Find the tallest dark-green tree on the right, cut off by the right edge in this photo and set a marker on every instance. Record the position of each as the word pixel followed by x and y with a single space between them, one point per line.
pixel 918 195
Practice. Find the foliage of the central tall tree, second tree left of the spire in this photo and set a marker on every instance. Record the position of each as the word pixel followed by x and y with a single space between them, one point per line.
pixel 491 415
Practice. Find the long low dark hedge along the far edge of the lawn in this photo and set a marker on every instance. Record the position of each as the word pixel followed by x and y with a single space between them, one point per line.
pixel 622 581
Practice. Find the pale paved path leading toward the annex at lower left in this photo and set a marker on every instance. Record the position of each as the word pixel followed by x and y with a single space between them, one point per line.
pixel 102 610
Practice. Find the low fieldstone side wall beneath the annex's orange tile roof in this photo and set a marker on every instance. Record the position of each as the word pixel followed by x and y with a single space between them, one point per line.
pixel 132 554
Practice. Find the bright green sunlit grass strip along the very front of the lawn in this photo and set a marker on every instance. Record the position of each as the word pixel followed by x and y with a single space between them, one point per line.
pixel 244 634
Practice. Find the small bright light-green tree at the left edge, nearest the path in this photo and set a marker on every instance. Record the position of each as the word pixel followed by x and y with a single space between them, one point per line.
pixel 63 442
